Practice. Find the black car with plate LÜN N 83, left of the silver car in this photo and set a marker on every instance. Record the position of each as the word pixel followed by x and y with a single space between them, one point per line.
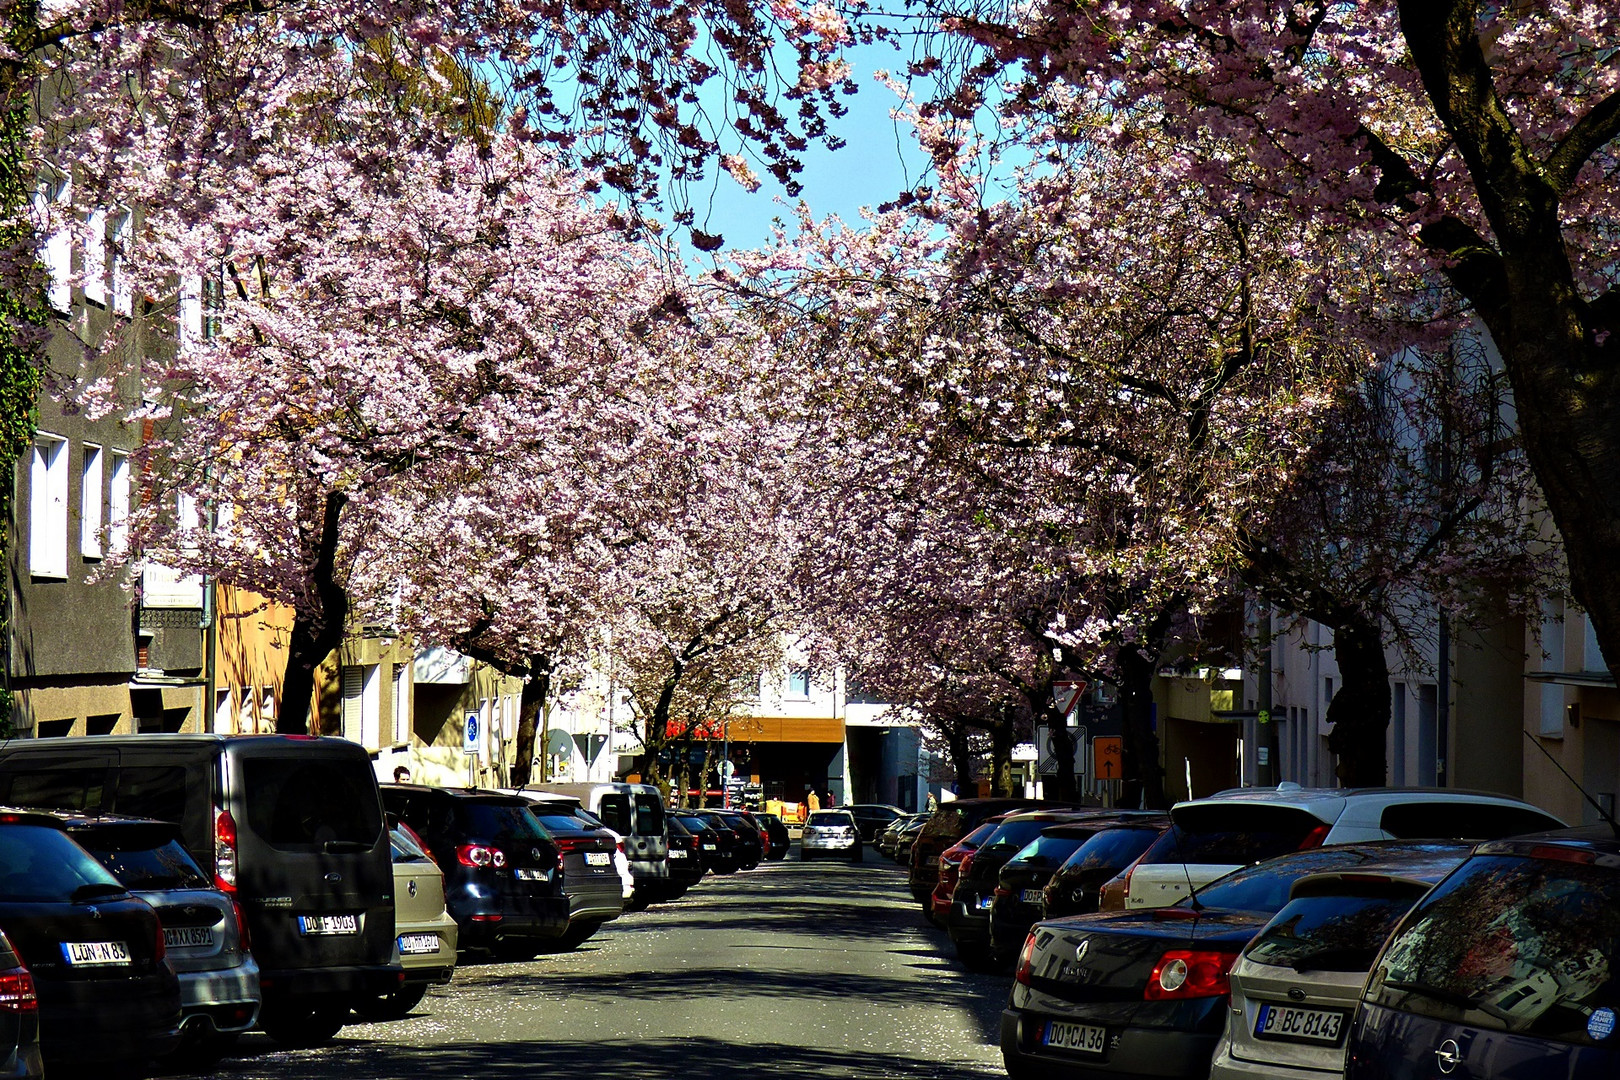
pixel 96 955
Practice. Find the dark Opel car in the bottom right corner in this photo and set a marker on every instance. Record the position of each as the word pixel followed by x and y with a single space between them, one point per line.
pixel 1507 969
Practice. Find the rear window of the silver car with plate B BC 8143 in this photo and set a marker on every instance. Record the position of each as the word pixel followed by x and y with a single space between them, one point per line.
pixel 1331 933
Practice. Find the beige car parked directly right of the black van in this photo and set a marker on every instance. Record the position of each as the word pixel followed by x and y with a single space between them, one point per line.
pixel 425 933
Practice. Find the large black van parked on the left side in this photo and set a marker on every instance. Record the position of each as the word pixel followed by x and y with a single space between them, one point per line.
pixel 291 827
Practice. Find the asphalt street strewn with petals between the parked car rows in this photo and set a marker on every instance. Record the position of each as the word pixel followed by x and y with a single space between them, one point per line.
pixel 791 971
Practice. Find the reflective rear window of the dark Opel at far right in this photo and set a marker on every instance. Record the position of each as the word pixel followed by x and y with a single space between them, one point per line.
pixel 1511 945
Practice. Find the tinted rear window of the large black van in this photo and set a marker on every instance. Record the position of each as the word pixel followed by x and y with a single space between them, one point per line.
pixel 309 806
